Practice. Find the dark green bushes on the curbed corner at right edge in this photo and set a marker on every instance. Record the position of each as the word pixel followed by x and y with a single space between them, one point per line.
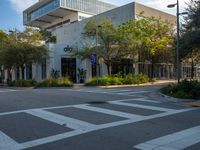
pixel 185 89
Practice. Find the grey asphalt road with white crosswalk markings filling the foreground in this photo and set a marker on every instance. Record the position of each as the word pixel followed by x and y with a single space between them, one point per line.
pixel 95 119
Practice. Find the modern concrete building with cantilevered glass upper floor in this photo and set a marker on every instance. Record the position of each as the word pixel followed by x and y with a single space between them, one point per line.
pixel 66 20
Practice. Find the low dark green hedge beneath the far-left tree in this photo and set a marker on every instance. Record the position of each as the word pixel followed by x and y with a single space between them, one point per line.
pixel 22 83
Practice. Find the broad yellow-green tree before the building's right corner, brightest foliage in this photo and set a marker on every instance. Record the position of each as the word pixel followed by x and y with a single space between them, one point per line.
pixel 149 38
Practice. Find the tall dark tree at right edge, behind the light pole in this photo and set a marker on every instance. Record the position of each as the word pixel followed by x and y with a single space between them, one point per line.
pixel 190 36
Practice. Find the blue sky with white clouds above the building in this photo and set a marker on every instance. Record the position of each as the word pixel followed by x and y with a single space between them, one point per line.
pixel 11 10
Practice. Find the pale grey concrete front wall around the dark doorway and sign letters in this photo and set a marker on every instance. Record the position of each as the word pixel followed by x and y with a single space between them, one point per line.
pixel 71 35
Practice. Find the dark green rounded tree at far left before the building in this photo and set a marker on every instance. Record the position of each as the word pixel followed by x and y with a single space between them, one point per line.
pixel 24 50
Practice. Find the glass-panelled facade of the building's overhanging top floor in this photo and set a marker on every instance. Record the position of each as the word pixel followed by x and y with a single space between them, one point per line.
pixel 86 6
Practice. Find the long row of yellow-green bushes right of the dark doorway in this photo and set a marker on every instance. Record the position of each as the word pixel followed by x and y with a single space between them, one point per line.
pixel 119 80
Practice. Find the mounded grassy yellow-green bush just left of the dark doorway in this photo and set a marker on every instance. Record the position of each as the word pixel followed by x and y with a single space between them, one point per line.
pixel 60 82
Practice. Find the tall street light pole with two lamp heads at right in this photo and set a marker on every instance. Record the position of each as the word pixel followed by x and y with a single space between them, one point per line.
pixel 178 38
